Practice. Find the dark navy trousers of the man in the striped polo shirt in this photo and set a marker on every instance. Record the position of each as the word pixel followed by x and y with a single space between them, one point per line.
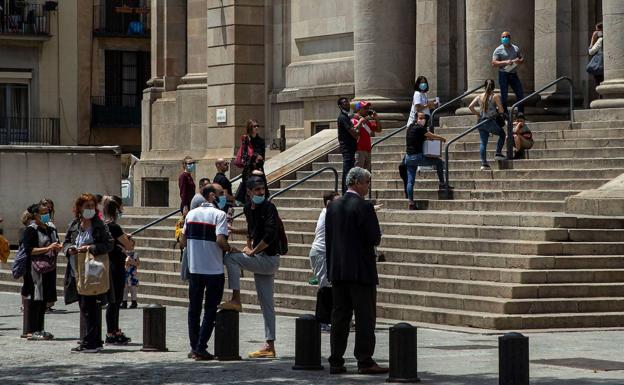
pixel 212 285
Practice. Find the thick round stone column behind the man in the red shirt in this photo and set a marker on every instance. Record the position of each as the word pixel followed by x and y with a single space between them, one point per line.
pixel 383 43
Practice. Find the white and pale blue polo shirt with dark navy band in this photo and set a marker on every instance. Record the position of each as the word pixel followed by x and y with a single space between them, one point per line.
pixel 201 228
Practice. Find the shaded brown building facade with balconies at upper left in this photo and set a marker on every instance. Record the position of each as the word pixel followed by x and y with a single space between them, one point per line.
pixel 73 72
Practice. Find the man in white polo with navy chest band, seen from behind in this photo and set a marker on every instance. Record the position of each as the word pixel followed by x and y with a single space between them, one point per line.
pixel 205 235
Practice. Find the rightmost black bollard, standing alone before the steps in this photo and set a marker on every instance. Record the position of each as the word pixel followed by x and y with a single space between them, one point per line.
pixel 513 359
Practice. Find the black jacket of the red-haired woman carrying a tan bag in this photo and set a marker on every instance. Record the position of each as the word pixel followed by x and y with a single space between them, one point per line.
pixel 103 244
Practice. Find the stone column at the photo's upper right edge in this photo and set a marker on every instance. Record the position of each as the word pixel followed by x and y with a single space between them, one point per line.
pixel 612 89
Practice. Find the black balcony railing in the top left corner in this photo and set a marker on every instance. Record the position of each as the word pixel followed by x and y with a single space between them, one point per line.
pixel 27 19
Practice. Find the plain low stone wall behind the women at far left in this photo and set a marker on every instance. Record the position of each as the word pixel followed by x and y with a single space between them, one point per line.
pixel 61 173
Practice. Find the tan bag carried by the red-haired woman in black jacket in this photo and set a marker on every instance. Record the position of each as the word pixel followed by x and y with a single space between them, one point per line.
pixel 93 274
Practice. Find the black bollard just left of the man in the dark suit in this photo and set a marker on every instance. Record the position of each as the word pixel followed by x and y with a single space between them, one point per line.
pixel 307 343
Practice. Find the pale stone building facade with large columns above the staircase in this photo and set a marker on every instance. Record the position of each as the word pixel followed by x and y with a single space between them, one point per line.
pixel 217 63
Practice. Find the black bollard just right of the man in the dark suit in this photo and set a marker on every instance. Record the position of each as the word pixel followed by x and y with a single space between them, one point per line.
pixel 403 353
